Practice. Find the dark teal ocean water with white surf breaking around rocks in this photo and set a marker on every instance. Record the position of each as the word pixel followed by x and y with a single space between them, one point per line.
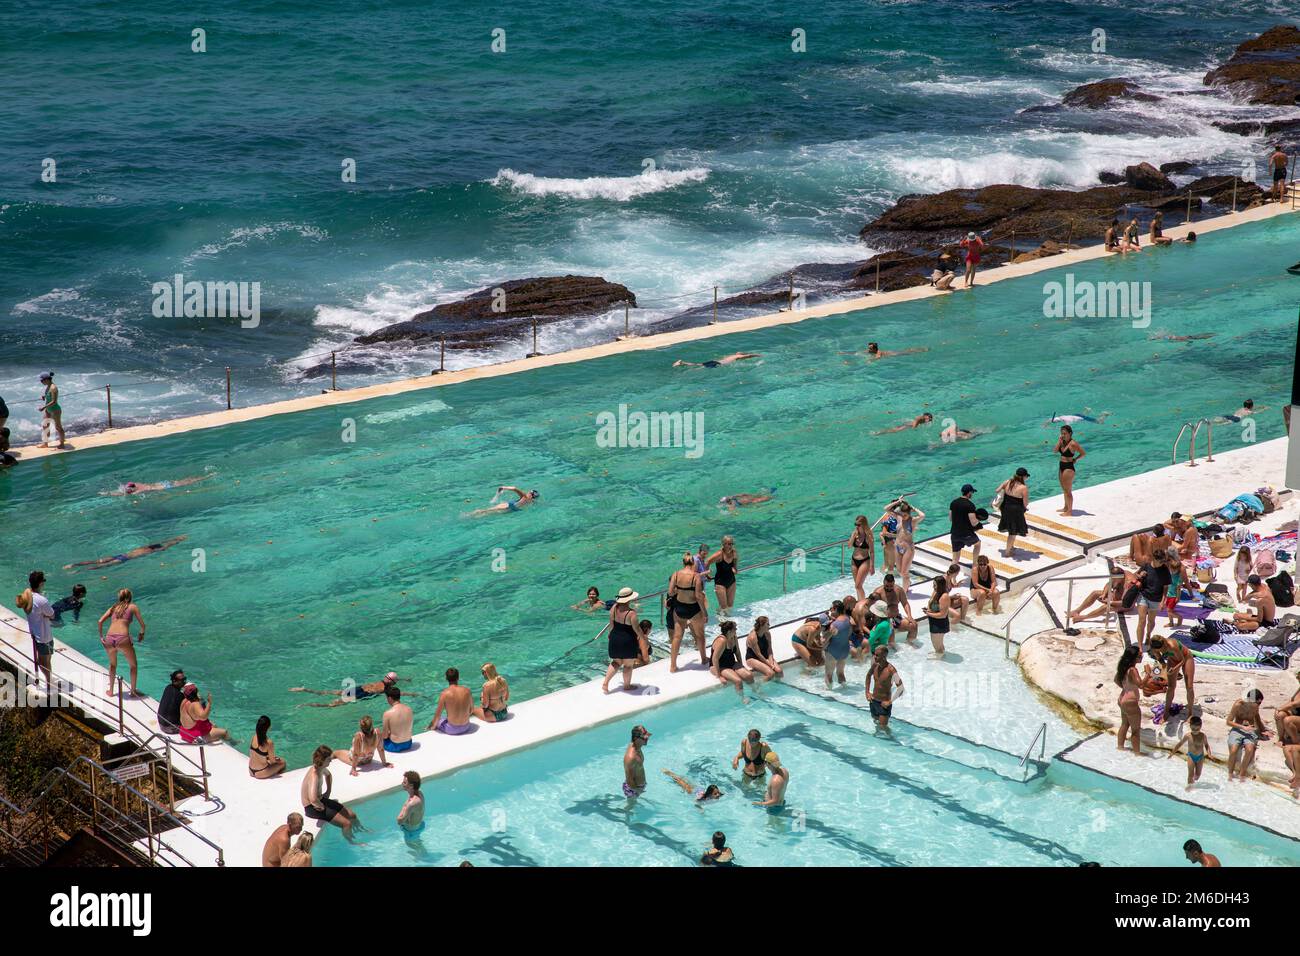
pixel 478 167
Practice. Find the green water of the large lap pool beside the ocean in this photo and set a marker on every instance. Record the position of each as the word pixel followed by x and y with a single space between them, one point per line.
pixel 328 560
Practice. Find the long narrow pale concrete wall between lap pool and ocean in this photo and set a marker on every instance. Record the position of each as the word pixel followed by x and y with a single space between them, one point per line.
pixel 119 436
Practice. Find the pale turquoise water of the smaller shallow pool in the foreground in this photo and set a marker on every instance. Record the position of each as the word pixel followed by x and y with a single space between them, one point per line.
pixel 917 798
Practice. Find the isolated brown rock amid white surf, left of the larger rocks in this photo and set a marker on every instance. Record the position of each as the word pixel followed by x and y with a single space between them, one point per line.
pixel 492 314
